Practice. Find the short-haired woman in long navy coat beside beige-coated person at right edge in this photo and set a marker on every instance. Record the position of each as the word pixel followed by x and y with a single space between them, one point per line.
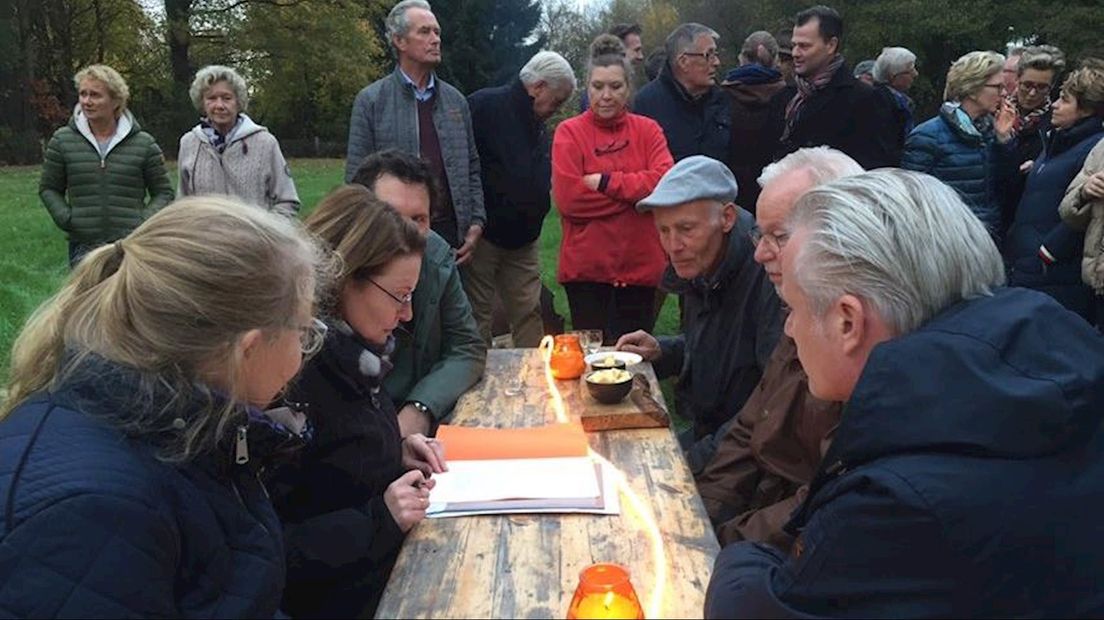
pixel 1042 252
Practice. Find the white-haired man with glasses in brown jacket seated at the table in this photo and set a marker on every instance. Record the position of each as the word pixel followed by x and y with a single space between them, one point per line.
pixel 772 450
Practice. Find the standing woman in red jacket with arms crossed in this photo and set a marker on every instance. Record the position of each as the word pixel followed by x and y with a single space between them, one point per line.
pixel 603 162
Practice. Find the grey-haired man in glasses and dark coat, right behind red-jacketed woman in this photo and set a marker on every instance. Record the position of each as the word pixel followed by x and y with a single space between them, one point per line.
pixel 686 101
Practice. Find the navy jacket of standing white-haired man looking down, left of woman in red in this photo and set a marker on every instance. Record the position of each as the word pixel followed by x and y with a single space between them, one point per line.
pixel 515 162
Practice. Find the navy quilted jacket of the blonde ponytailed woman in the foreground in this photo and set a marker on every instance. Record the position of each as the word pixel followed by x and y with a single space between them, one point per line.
pixel 97 527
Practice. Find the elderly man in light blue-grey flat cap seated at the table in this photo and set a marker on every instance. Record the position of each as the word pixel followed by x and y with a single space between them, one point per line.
pixel 730 311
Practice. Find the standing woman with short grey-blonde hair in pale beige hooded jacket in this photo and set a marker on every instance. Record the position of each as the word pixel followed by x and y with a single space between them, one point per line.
pixel 228 153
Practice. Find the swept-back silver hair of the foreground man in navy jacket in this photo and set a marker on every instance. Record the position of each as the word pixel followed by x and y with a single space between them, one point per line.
pixel 901 241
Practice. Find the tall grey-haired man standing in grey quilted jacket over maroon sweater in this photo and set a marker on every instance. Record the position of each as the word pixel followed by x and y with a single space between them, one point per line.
pixel 416 112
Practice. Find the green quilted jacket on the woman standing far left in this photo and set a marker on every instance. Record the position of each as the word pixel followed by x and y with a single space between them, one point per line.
pixel 100 199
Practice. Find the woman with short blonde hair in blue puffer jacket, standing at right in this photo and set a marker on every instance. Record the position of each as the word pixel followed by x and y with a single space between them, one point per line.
pixel 963 146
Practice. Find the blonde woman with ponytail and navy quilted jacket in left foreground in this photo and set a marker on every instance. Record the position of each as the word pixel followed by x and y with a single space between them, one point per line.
pixel 133 432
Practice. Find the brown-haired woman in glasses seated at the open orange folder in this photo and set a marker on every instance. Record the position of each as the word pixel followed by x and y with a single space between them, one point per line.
pixel 359 486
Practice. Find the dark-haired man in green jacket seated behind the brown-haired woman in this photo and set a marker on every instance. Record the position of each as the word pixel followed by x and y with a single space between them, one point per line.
pixel 442 355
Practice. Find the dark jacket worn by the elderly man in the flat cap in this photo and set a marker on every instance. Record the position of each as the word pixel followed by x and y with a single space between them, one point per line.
pixel 733 322
